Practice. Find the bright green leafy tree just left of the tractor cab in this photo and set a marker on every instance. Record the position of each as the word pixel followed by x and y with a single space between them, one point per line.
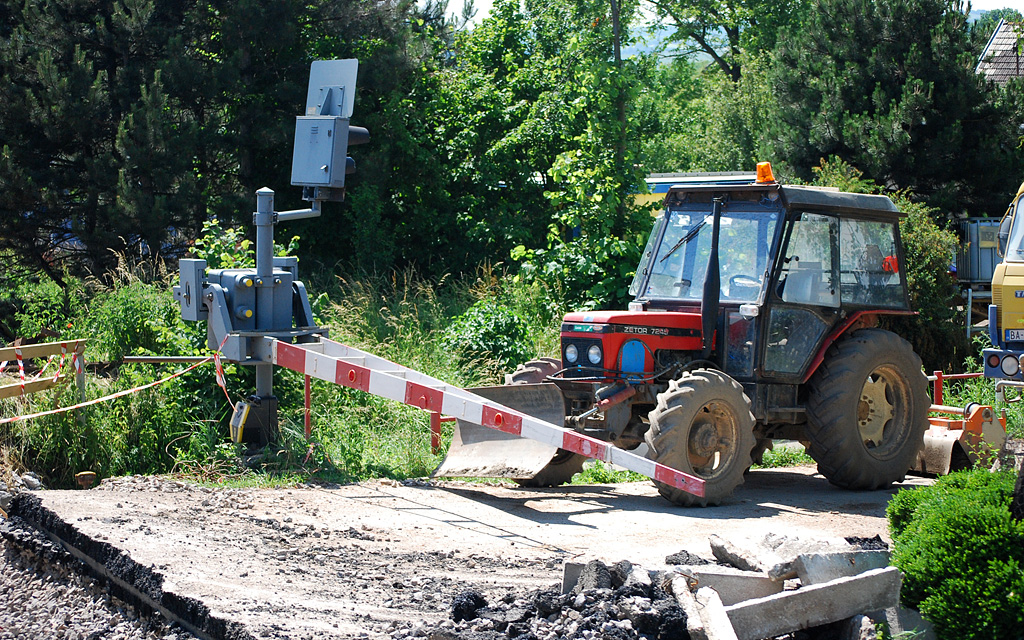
pixel 596 233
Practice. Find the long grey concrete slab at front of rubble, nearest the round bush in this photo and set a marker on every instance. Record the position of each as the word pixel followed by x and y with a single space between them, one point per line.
pixel 819 605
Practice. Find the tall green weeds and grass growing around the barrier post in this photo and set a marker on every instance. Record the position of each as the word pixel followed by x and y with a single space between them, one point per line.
pixel 182 425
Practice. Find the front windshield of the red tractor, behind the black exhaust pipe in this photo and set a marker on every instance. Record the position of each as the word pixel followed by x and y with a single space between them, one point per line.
pixel 675 268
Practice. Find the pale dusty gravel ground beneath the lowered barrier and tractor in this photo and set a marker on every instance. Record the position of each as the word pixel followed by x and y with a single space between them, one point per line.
pixel 397 560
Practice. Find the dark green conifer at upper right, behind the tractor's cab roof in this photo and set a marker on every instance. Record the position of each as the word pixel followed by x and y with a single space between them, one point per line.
pixel 890 88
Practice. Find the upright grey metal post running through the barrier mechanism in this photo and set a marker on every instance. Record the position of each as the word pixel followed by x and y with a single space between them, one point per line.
pixel 264 417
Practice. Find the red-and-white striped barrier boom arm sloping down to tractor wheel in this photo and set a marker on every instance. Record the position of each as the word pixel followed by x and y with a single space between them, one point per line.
pixel 350 367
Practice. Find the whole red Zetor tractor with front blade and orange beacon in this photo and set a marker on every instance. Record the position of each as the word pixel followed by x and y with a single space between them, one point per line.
pixel 755 319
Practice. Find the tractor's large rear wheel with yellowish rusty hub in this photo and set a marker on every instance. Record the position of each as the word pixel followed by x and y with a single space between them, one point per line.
pixel 868 411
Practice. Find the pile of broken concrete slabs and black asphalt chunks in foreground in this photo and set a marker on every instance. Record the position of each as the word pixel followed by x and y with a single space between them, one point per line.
pixel 777 587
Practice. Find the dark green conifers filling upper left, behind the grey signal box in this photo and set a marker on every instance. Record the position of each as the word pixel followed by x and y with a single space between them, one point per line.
pixel 126 123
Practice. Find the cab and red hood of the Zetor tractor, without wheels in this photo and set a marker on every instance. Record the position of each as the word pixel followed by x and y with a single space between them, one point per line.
pixel 752 279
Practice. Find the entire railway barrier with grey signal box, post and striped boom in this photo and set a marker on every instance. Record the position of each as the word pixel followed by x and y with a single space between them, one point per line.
pixel 262 318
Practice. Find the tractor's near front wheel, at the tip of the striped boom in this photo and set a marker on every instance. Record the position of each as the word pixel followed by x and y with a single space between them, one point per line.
pixel 703 426
